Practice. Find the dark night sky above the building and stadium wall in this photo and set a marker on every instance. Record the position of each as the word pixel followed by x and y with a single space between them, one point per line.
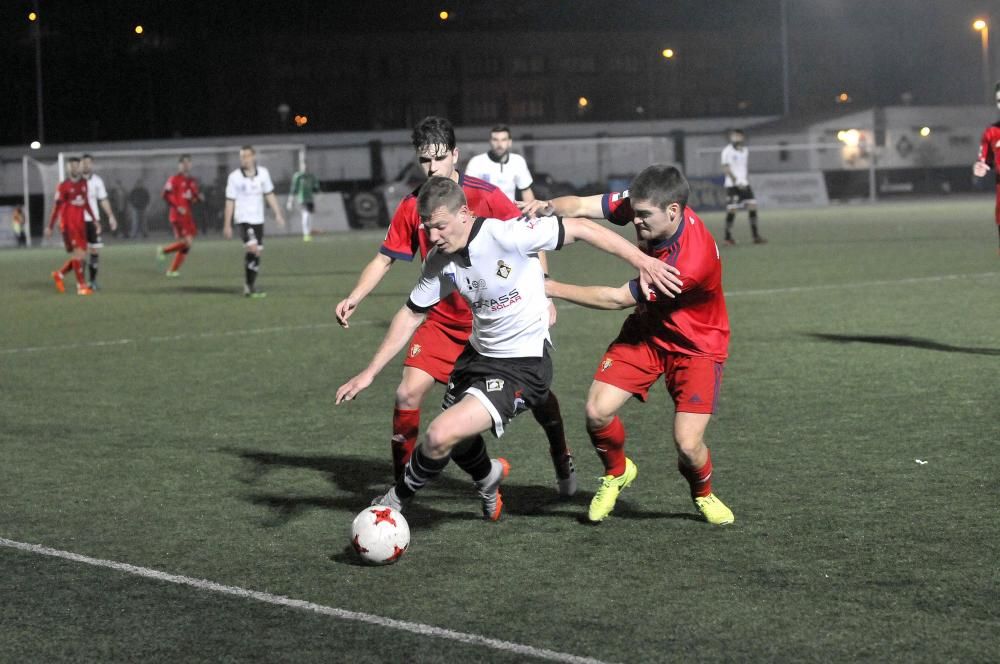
pixel 104 82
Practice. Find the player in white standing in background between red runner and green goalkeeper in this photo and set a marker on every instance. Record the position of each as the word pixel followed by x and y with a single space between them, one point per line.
pixel 246 190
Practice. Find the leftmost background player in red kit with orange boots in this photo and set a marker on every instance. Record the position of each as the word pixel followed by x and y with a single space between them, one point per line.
pixel 70 204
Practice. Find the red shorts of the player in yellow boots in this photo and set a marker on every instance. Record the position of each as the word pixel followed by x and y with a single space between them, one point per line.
pixel 692 382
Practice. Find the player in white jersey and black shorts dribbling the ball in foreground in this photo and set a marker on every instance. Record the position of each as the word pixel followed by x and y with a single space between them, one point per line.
pixel 506 368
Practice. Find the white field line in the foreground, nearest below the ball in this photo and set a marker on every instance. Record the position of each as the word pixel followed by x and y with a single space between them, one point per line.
pixel 279 600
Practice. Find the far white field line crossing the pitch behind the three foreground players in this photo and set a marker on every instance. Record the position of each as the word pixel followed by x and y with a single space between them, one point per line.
pixel 319 326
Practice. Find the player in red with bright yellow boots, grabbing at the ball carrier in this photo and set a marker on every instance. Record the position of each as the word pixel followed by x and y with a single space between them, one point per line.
pixel 685 340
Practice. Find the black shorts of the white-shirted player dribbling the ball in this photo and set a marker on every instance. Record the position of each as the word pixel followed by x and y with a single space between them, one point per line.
pixel 506 386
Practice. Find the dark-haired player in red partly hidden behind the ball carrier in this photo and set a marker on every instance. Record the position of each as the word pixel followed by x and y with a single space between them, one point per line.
pixel 442 337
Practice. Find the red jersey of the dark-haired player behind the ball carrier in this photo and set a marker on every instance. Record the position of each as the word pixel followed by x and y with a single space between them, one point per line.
pixel 406 237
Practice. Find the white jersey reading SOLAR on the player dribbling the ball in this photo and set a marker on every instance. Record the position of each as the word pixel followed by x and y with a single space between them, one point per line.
pixel 501 278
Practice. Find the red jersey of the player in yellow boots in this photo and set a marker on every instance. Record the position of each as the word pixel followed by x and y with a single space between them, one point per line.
pixel 694 323
